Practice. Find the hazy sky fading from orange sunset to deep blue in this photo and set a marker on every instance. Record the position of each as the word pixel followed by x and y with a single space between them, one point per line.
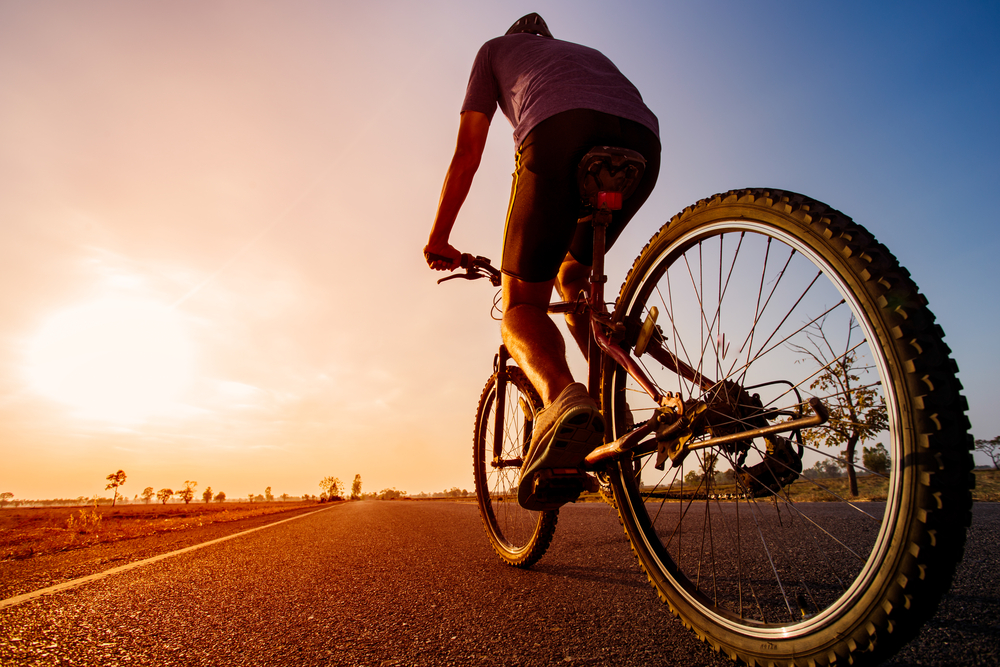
pixel 212 213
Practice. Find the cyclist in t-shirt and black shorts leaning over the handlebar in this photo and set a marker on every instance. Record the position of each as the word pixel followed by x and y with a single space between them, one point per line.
pixel 562 99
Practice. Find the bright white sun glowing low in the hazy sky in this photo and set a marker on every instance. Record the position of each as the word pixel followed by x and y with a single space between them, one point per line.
pixel 116 360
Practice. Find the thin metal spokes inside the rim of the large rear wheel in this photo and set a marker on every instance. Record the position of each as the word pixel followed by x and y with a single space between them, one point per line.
pixel 708 291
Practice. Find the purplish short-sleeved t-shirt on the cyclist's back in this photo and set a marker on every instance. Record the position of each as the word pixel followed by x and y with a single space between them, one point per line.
pixel 533 78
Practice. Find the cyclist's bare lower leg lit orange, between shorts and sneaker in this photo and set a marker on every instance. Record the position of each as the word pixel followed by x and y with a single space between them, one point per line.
pixel 532 338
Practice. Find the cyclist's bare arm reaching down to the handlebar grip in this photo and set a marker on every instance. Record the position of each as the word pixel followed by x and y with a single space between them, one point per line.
pixel 472 130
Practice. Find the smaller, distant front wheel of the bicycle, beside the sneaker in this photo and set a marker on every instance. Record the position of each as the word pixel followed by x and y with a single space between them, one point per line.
pixel 519 536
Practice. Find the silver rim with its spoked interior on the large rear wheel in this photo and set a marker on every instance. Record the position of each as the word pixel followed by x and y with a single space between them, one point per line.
pixel 771 567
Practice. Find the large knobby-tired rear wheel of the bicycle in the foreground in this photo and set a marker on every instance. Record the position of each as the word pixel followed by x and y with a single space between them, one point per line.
pixel 807 574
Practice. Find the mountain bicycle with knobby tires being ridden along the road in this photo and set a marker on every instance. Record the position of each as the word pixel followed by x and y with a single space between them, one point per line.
pixel 788 329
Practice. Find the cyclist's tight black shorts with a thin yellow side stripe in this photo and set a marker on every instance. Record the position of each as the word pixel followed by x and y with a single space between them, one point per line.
pixel 545 198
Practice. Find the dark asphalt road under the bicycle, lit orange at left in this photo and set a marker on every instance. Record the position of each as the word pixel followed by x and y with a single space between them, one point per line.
pixel 415 583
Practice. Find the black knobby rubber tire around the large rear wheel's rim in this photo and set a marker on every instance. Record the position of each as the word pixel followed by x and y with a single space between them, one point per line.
pixel 944 493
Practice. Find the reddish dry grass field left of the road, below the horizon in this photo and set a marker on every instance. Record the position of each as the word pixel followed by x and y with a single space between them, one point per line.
pixel 25 532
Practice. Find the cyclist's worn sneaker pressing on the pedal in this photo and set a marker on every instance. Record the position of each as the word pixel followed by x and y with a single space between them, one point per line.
pixel 565 432
